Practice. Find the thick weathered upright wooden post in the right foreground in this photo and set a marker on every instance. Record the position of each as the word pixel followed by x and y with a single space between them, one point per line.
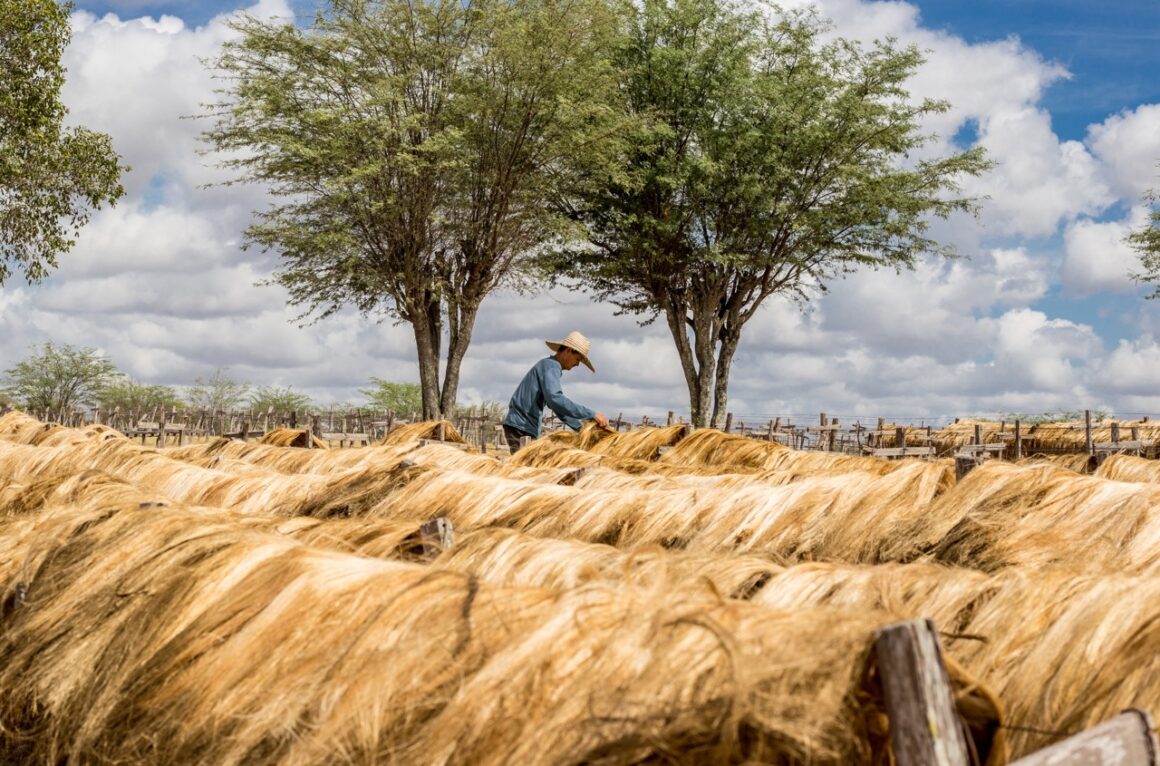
pixel 925 728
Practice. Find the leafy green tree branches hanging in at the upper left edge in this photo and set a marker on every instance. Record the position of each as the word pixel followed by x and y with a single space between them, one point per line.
pixel 52 178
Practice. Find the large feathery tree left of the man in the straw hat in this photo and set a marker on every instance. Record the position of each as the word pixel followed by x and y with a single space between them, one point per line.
pixel 411 148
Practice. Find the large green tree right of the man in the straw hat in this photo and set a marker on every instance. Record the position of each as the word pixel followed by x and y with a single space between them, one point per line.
pixel 772 163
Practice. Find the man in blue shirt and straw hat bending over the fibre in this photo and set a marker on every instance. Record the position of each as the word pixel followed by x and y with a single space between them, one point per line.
pixel 541 388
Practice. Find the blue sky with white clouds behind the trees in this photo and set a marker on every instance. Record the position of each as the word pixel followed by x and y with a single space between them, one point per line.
pixel 1039 316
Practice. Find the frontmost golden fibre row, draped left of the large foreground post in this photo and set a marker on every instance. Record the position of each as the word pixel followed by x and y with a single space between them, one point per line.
pixel 596 674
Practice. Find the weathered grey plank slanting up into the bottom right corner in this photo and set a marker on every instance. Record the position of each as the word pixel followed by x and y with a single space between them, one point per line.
pixel 1126 741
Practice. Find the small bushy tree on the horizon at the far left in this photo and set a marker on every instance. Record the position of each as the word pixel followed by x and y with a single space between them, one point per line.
pixel 60 379
